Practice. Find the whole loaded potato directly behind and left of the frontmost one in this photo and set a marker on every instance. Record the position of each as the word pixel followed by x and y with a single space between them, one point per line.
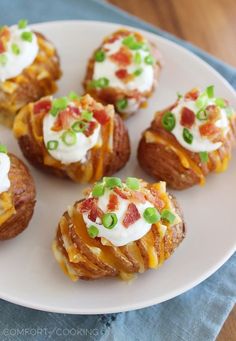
pixel 74 137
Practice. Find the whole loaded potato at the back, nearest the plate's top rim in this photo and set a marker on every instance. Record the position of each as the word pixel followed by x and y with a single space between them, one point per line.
pixel 123 71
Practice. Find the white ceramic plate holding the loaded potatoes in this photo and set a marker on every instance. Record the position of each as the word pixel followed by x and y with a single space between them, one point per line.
pixel 29 274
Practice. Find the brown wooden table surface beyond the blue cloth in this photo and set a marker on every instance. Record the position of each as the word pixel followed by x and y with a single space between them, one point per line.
pixel 209 24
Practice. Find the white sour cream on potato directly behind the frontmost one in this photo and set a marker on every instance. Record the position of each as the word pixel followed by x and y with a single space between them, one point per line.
pixel 69 154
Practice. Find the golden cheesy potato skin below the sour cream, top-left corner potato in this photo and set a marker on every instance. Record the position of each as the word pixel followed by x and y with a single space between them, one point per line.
pixel 36 81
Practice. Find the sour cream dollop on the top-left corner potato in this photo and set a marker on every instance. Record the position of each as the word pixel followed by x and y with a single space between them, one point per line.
pixel 17 63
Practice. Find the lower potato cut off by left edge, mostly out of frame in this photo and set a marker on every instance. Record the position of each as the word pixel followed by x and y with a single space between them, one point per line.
pixel 17 195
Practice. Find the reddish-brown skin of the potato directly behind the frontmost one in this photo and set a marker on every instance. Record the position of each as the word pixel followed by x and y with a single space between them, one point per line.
pixel 113 161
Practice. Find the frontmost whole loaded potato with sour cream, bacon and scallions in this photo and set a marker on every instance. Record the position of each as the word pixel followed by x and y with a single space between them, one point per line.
pixel 119 229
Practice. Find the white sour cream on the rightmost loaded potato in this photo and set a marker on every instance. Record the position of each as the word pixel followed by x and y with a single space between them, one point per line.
pixel 200 143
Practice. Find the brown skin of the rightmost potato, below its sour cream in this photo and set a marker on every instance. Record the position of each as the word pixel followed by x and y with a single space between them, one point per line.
pixel 163 163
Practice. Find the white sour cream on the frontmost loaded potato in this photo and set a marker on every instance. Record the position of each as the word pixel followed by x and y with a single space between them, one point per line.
pixel 120 235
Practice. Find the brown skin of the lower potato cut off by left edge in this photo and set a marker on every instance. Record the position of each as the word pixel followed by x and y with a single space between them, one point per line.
pixel 23 194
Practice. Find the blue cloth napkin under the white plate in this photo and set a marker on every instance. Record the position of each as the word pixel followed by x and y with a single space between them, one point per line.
pixel 196 315
